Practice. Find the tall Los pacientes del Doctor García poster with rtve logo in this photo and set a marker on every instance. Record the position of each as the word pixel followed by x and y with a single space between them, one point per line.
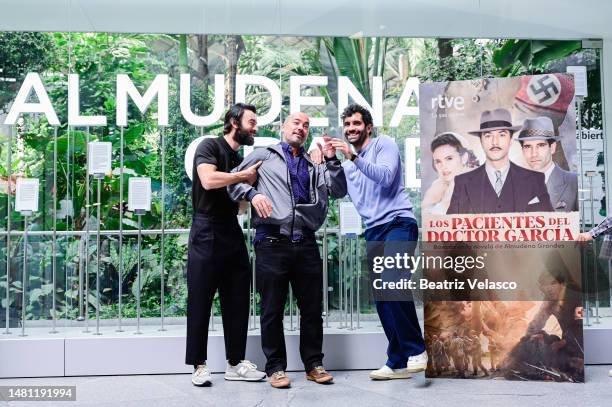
pixel 499 183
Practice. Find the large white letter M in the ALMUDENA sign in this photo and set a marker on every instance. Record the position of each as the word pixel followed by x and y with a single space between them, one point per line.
pixel 159 88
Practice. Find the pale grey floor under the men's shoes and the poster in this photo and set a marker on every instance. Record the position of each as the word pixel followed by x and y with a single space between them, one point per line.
pixel 351 388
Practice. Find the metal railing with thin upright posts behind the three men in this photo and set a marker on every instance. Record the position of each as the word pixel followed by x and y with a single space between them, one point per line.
pixel 349 292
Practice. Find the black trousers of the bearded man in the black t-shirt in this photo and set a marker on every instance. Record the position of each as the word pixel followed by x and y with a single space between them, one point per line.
pixel 217 259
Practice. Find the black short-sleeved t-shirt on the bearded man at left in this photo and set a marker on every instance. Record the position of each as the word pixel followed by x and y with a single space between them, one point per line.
pixel 214 202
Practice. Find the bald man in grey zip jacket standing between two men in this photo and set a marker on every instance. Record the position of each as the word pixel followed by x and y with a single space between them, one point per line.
pixel 290 198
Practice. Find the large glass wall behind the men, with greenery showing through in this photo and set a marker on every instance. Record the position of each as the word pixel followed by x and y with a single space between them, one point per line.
pixel 66 258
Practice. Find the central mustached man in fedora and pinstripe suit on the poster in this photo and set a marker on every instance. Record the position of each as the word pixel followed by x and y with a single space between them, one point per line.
pixel 498 185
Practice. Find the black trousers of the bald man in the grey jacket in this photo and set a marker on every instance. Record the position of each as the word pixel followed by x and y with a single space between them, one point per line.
pixel 278 264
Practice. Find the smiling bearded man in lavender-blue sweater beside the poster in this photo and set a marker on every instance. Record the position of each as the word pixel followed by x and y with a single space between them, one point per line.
pixel 376 187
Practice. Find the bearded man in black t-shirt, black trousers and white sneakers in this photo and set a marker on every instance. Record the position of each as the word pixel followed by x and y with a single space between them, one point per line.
pixel 217 257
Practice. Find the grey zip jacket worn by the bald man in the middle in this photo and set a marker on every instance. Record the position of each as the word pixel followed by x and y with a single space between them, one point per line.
pixel 274 182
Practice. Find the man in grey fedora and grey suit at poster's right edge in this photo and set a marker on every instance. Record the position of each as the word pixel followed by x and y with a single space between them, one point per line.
pixel 538 142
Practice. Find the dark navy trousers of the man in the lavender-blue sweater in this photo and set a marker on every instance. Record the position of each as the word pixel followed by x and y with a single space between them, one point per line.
pixel 398 318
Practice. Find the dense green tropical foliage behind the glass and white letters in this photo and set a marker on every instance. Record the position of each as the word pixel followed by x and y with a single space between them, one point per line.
pixel 98 58
